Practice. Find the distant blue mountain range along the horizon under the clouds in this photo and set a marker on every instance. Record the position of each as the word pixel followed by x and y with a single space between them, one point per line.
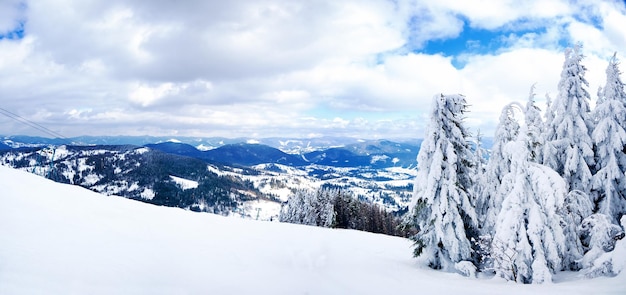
pixel 329 151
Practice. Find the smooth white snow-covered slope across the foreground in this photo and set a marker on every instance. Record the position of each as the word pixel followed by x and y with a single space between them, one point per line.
pixel 63 239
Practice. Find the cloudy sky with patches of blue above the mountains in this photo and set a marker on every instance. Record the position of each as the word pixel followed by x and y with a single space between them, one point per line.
pixel 291 68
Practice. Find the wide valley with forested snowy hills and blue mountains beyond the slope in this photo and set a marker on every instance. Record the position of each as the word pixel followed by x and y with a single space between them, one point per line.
pixel 246 179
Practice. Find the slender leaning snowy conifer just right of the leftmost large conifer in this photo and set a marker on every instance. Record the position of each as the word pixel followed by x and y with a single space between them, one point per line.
pixel 490 201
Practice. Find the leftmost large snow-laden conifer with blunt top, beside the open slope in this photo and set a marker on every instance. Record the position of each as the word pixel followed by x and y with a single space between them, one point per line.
pixel 441 207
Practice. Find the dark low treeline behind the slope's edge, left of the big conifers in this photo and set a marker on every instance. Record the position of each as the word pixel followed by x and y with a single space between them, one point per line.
pixel 336 208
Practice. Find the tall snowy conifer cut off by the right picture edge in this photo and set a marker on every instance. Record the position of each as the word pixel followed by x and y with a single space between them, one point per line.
pixel 609 137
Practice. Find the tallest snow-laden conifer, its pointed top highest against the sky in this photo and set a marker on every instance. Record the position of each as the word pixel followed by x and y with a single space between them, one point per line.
pixel 569 148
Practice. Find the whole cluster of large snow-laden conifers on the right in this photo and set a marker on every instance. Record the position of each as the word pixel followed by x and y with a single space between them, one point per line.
pixel 534 199
